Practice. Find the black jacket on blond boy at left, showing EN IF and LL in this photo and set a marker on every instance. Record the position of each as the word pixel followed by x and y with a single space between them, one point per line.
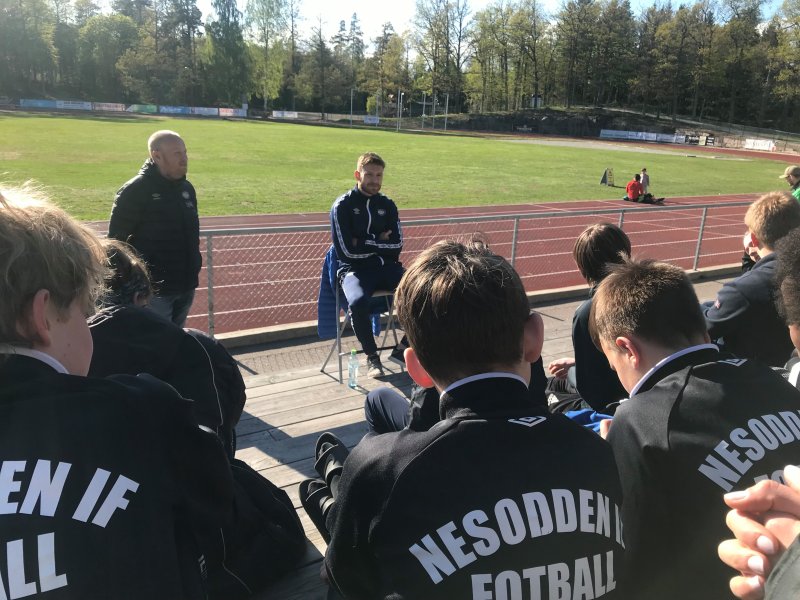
pixel 102 484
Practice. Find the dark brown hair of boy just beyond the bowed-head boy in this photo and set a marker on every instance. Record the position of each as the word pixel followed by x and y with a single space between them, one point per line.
pixel 598 245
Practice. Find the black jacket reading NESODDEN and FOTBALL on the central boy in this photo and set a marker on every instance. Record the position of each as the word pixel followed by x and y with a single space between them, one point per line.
pixel 497 495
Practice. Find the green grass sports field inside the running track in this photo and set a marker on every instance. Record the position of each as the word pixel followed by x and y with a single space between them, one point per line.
pixel 259 167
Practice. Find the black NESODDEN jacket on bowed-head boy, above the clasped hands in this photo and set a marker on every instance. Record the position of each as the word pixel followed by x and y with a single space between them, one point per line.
pixel 700 426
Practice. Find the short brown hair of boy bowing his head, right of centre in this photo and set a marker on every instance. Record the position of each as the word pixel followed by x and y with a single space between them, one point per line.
pixel 652 300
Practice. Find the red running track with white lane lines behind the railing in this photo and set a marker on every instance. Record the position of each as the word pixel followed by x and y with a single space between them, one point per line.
pixel 272 279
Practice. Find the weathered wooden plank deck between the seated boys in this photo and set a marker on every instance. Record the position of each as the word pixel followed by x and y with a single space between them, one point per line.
pixel 276 435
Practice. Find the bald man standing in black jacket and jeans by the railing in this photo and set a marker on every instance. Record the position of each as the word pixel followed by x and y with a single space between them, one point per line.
pixel 156 213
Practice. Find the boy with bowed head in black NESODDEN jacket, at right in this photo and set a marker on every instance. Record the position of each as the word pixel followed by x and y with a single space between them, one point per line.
pixel 698 423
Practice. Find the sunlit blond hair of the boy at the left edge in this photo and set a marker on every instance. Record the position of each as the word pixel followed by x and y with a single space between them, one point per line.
pixel 42 247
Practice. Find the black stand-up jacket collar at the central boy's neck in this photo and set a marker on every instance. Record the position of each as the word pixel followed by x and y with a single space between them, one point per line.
pixel 496 394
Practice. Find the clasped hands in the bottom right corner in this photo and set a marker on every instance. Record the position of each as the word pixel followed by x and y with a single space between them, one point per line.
pixel 765 521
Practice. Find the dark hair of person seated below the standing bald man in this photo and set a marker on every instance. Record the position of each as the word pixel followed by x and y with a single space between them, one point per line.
pixel 127 275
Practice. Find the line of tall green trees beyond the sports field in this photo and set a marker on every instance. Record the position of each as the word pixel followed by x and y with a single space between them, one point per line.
pixel 711 59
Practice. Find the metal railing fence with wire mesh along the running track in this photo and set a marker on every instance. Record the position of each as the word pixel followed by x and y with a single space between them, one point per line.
pixel 254 278
